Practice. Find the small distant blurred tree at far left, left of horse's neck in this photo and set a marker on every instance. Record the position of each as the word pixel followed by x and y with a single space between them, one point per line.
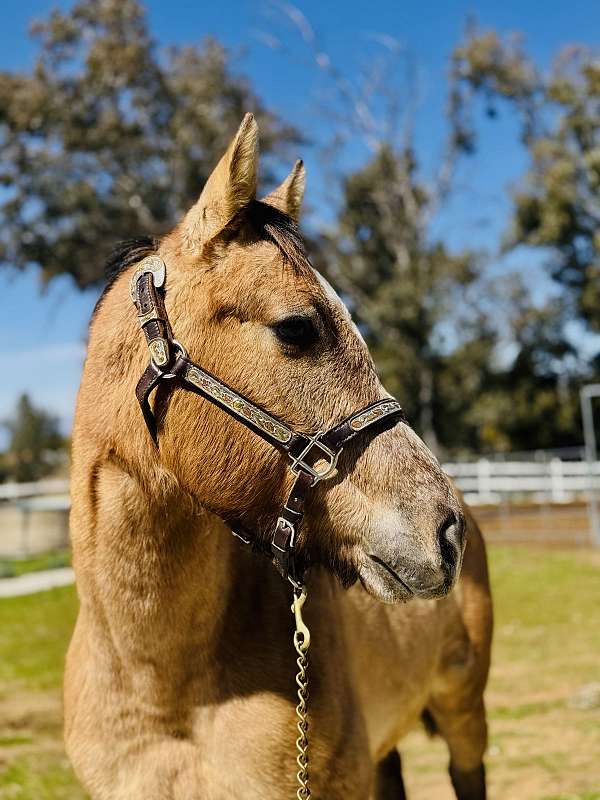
pixel 35 442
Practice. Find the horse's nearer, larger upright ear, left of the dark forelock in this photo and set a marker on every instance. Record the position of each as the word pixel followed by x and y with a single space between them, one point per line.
pixel 229 189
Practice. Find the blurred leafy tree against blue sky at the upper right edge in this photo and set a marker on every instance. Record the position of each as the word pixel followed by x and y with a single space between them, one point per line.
pixel 557 203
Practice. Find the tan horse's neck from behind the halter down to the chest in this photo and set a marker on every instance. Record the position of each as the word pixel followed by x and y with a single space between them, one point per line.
pixel 157 573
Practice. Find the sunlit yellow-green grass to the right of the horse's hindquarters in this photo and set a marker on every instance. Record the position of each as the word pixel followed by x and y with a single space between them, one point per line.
pixel 546 647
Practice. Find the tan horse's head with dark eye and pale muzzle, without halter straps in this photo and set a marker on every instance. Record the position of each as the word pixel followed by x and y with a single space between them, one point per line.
pixel 246 303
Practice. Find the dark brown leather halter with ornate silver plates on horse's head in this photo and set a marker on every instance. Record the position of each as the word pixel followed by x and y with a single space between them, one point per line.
pixel 313 457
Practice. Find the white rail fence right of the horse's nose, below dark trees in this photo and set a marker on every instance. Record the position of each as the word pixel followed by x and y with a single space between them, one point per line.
pixel 554 480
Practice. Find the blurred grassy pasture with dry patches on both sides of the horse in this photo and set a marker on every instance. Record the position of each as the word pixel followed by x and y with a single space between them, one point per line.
pixel 543 697
